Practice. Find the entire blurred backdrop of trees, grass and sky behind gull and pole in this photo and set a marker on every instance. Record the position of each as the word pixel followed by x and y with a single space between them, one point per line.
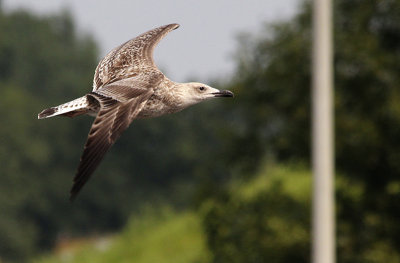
pixel 224 181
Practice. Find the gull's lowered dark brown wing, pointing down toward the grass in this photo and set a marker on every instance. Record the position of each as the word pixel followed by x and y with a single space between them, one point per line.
pixel 119 105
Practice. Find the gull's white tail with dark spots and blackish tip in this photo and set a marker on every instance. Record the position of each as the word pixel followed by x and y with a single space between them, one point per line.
pixel 73 108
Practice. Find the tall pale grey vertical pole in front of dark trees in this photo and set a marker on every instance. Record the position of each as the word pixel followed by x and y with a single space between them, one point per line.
pixel 323 249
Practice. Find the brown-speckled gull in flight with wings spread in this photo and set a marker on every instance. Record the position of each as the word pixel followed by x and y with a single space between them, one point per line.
pixel 127 85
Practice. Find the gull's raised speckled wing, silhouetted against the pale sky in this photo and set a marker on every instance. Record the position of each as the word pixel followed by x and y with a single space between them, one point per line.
pixel 132 58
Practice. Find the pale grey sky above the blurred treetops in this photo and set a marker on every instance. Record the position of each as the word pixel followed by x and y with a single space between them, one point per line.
pixel 201 47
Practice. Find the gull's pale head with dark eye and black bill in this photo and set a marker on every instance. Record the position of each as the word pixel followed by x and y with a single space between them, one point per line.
pixel 195 92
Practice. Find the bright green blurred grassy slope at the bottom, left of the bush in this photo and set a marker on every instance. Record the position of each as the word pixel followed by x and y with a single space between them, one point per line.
pixel 163 236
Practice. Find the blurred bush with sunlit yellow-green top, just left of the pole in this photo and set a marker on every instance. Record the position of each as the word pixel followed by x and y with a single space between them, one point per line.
pixel 267 220
